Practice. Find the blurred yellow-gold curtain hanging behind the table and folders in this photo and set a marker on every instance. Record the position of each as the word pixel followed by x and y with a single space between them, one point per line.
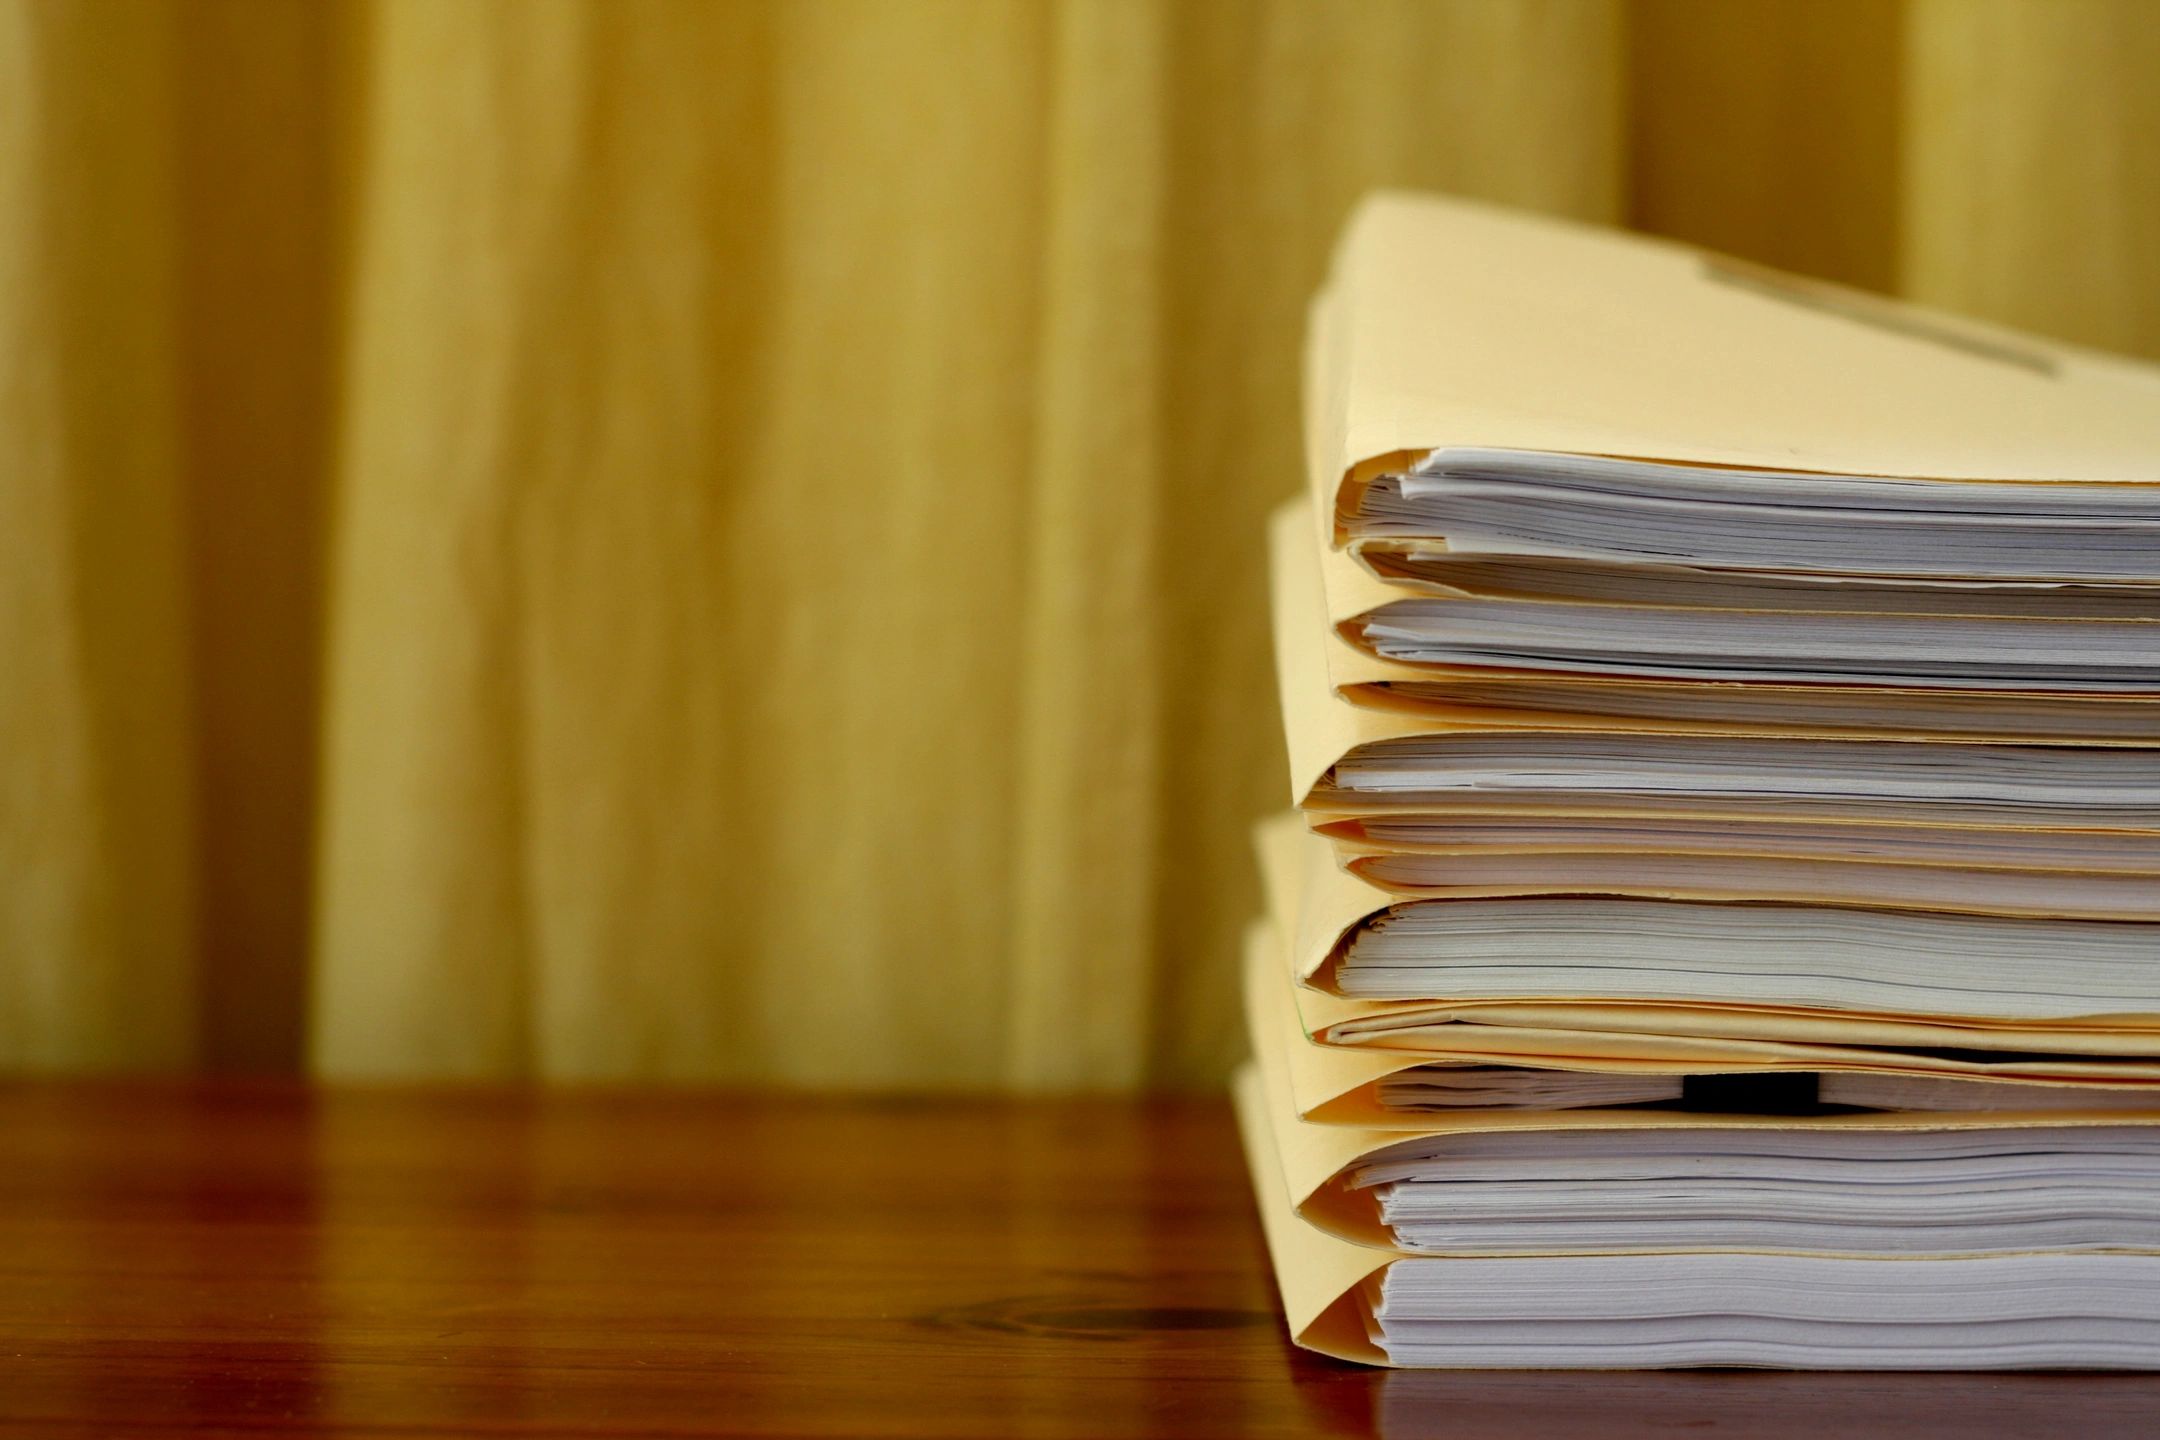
pixel 723 543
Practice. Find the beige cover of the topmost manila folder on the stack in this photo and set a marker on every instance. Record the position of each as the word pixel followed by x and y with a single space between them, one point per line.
pixel 1450 323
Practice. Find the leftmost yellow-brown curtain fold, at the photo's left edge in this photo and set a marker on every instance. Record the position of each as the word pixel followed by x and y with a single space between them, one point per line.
pixel 96 793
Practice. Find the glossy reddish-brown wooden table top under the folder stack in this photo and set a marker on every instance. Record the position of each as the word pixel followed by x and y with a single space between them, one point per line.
pixel 247 1260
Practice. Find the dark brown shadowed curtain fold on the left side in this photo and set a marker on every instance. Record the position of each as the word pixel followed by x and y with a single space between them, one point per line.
pixel 258 94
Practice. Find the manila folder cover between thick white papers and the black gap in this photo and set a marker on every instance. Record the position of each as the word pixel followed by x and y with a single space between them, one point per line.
pixel 1321 908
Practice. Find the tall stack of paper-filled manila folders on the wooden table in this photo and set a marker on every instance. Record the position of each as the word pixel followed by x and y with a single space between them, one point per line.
pixel 1720 923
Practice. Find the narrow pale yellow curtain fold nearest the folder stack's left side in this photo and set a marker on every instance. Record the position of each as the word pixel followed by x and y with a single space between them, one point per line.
pixel 1088 722
